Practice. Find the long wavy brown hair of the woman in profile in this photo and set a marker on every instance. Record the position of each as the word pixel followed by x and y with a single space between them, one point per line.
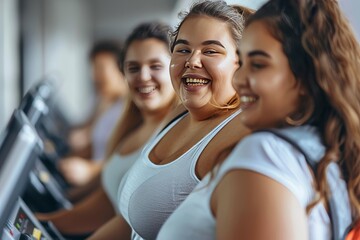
pixel 324 56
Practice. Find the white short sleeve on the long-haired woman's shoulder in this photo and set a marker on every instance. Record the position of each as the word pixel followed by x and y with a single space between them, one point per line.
pixel 267 154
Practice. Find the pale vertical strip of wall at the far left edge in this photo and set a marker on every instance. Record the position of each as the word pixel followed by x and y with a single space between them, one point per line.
pixel 9 65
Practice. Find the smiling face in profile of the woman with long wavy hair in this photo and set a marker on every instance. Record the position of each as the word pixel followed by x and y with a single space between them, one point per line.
pixel 264 81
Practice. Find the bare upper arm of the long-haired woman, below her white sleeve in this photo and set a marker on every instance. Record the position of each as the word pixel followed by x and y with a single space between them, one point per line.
pixel 248 205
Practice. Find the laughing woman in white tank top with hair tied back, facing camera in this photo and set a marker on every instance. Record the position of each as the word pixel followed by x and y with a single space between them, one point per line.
pixel 204 59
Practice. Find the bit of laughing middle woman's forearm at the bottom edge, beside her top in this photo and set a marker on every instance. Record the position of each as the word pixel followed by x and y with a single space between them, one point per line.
pixel 116 228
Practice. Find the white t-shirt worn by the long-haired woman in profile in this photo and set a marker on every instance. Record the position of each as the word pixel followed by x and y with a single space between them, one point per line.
pixel 273 157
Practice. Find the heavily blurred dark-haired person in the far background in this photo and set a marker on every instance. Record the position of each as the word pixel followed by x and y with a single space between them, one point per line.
pixel 88 142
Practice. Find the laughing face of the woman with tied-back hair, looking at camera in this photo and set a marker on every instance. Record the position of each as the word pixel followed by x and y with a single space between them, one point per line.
pixel 203 62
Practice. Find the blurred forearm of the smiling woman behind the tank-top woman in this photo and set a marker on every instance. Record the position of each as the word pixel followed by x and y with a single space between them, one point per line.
pixel 85 217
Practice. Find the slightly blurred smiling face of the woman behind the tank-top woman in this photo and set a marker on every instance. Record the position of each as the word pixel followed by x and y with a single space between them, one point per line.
pixel 146 69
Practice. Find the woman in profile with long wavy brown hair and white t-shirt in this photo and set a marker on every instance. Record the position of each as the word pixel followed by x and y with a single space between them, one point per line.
pixel 299 75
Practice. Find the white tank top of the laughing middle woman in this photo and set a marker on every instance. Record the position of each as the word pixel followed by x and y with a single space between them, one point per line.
pixel 150 193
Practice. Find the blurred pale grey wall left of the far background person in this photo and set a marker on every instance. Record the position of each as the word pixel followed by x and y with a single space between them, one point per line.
pixel 57 38
